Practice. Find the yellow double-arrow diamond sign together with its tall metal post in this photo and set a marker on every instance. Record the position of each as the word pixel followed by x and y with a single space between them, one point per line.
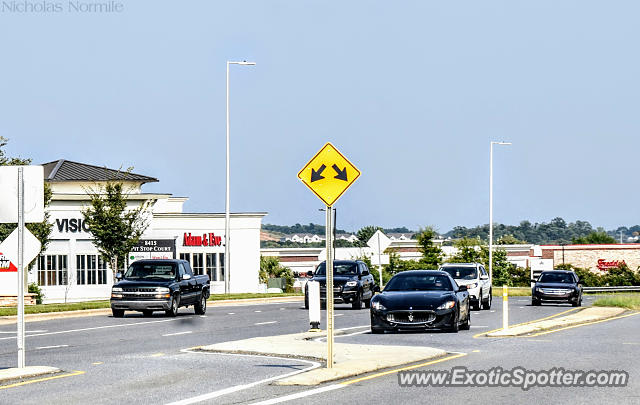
pixel 329 174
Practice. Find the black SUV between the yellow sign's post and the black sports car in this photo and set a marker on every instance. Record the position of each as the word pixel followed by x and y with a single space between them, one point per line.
pixel 352 283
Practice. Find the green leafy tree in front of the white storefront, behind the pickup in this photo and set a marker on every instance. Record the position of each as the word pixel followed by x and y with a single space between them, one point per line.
pixel 116 229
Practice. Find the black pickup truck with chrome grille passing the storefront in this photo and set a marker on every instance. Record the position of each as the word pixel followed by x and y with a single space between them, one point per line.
pixel 159 285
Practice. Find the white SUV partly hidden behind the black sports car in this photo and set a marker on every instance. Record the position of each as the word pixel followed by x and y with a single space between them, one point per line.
pixel 475 277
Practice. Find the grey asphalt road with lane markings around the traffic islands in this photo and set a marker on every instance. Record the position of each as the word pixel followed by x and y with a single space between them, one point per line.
pixel 146 360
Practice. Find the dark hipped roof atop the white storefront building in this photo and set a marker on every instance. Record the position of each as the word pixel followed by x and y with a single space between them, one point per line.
pixel 66 170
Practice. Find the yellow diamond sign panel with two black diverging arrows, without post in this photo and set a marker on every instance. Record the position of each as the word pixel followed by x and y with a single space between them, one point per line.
pixel 329 174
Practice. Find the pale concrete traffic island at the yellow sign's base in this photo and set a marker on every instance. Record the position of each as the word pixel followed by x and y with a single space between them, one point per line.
pixel 349 359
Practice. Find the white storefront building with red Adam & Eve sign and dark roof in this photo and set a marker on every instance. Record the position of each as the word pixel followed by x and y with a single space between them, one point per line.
pixel 71 268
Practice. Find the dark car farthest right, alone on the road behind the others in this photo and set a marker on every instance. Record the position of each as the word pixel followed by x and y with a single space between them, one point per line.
pixel 557 286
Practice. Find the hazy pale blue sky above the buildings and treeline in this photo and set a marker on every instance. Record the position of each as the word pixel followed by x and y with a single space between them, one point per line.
pixel 412 92
